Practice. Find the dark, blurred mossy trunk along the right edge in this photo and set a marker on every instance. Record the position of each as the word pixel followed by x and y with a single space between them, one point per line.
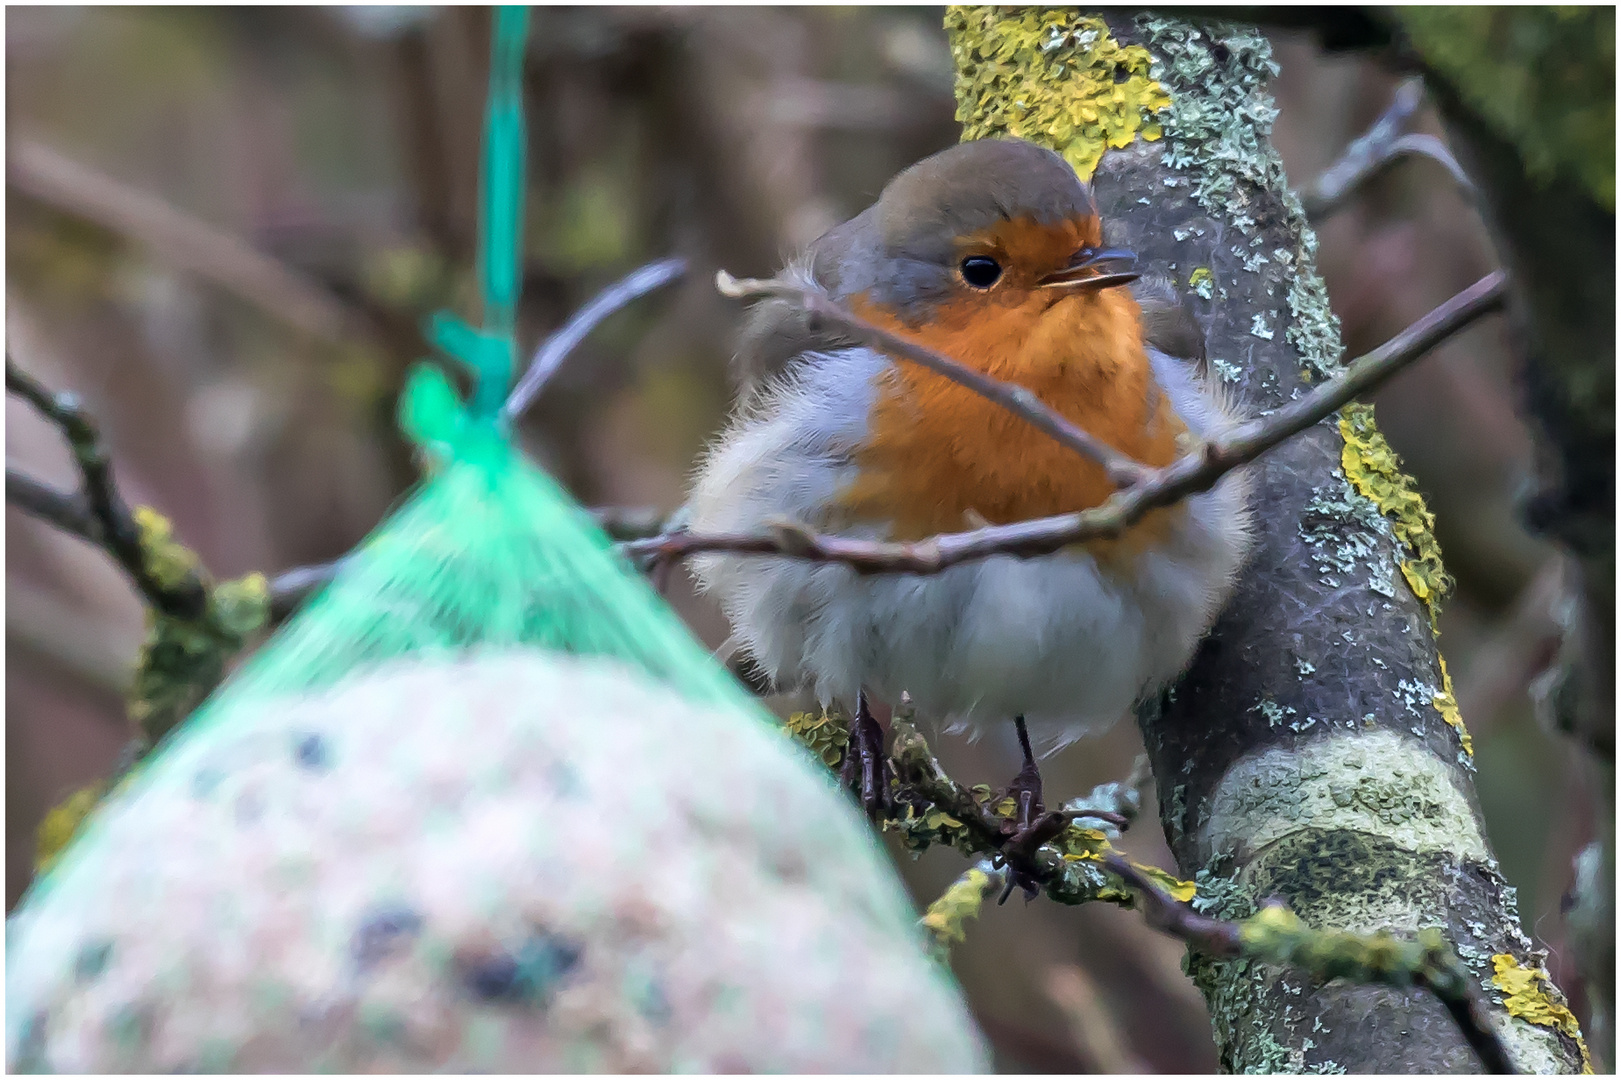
pixel 1542 152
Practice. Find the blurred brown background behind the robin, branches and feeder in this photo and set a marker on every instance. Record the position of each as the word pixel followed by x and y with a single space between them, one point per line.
pixel 225 228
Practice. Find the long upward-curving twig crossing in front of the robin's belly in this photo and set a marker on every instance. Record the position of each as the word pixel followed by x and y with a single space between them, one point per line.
pixel 1197 471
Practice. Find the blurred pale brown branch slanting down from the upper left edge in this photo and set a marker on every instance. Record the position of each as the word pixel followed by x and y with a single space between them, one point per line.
pixel 46 176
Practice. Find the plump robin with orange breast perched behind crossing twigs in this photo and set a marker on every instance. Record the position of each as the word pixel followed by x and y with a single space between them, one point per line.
pixel 991 254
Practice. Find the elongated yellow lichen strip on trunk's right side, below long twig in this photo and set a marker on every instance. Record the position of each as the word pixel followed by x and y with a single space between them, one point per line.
pixel 1375 471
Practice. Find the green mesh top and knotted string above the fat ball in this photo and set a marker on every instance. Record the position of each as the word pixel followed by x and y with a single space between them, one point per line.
pixel 489 552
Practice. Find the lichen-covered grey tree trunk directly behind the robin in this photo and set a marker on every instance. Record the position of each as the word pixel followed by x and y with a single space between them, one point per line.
pixel 1306 755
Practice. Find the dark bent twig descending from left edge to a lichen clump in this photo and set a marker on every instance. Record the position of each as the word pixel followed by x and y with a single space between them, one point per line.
pixel 116 526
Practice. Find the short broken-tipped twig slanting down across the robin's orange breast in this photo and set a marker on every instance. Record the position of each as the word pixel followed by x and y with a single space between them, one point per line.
pixel 1017 400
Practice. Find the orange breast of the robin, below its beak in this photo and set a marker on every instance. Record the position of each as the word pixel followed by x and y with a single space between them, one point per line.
pixel 939 458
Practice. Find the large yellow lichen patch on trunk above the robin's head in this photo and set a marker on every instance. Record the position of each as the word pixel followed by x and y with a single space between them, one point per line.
pixel 1051 77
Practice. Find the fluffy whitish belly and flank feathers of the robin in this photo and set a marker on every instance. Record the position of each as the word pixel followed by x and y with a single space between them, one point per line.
pixel 1058 640
